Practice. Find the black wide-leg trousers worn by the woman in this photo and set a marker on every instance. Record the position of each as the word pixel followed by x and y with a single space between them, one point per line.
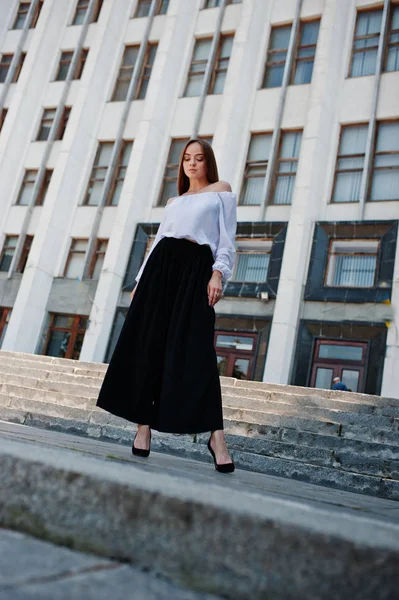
pixel 163 371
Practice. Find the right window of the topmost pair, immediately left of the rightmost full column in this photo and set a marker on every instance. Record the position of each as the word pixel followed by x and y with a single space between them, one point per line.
pixel 305 52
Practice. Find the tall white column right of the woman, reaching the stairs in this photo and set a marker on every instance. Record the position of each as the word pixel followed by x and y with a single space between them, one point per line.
pixel 309 193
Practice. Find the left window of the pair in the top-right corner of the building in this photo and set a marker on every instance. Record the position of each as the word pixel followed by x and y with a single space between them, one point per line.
pixel 365 43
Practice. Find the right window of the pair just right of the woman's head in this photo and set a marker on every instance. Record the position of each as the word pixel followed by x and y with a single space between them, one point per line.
pixel 290 145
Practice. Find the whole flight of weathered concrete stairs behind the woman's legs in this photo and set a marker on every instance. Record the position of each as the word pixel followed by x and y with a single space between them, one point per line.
pixel 338 439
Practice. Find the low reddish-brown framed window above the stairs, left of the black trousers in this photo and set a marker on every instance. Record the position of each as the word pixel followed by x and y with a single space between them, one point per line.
pixel 65 336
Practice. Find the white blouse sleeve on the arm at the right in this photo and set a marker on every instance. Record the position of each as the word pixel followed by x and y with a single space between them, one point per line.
pixel 226 250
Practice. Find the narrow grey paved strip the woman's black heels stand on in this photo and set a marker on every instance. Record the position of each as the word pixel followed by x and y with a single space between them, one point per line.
pixel 241 480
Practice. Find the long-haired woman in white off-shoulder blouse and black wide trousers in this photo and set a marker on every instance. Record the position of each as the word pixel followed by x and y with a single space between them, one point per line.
pixel 163 372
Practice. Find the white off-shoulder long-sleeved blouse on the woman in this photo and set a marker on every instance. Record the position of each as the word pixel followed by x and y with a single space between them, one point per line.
pixel 208 218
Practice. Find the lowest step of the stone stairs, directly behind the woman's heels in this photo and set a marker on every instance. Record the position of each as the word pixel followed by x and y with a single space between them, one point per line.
pixel 183 446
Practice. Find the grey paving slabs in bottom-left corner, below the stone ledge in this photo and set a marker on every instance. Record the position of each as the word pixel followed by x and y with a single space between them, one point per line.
pixel 31 569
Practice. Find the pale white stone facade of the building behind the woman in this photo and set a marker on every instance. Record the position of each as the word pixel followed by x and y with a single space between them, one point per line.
pixel 319 109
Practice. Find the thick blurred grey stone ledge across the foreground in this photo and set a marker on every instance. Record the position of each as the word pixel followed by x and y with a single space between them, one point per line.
pixel 246 544
